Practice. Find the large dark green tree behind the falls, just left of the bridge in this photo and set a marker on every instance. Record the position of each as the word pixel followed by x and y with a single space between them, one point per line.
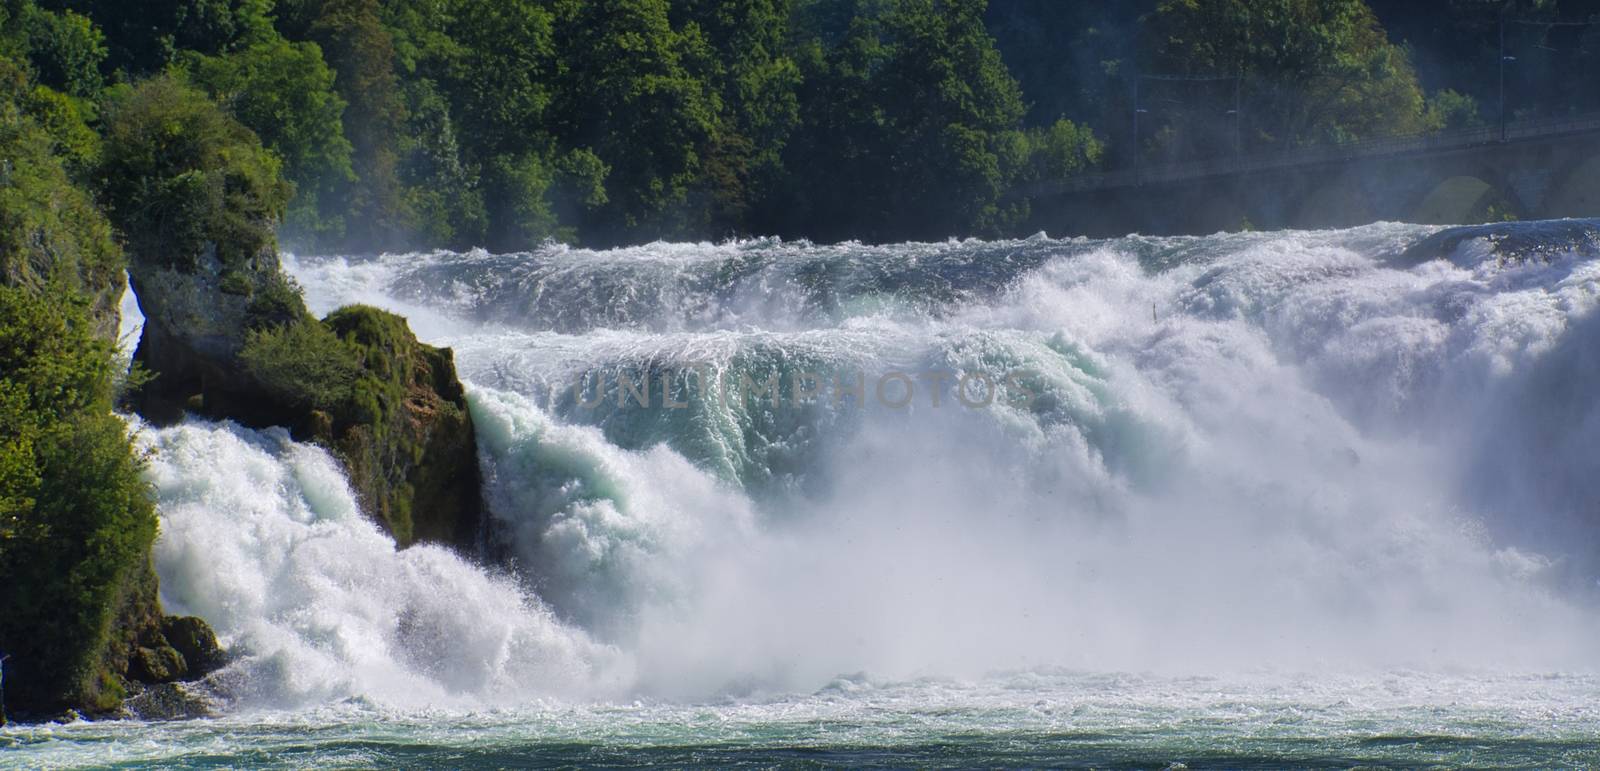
pixel 911 127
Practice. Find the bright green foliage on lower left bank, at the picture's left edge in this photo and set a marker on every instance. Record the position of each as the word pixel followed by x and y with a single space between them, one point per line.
pixel 76 517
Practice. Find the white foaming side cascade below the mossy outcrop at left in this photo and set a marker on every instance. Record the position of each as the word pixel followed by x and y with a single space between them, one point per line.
pixel 263 538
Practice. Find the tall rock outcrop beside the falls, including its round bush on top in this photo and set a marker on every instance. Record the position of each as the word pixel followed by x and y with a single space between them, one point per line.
pixel 228 335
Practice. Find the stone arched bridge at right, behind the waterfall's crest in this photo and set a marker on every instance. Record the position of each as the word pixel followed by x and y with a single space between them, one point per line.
pixel 1529 170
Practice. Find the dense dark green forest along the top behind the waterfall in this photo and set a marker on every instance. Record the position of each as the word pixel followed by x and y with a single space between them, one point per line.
pixel 502 124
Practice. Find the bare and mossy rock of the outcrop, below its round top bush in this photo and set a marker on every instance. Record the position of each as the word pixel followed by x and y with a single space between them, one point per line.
pixel 359 383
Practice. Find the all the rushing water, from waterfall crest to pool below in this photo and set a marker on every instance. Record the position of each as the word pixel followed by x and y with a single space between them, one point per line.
pixel 1241 500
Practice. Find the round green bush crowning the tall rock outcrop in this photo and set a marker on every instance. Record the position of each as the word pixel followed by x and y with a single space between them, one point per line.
pixel 180 177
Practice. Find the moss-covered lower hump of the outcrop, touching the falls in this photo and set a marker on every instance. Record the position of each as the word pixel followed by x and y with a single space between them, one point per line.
pixel 359 383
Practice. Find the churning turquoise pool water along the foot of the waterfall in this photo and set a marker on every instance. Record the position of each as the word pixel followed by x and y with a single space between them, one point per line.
pixel 1007 721
